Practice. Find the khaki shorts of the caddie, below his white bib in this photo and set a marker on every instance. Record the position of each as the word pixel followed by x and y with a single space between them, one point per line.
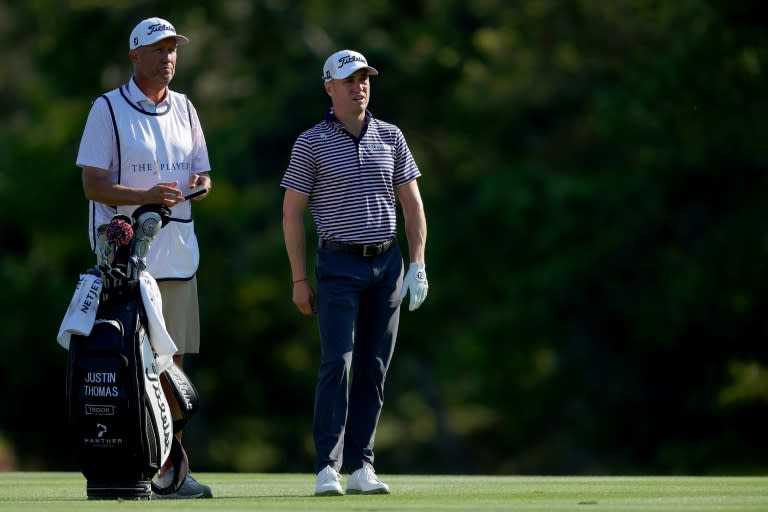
pixel 182 314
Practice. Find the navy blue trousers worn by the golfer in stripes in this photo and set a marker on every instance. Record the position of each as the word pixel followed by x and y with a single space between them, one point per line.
pixel 358 312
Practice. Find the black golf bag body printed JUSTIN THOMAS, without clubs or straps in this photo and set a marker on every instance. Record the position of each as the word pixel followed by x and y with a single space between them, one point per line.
pixel 119 417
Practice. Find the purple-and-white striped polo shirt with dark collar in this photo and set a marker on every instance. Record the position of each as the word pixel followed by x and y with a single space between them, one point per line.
pixel 351 182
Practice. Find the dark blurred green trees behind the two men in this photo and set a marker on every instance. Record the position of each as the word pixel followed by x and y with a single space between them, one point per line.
pixel 595 179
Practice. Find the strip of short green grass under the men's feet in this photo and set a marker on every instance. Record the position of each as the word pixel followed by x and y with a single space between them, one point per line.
pixel 24 491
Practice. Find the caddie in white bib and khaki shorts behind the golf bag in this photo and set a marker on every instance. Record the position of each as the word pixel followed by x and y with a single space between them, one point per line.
pixel 143 144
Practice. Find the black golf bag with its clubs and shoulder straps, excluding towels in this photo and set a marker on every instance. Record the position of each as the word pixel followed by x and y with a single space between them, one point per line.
pixel 121 425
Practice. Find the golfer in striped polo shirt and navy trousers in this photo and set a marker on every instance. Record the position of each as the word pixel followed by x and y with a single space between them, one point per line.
pixel 350 169
